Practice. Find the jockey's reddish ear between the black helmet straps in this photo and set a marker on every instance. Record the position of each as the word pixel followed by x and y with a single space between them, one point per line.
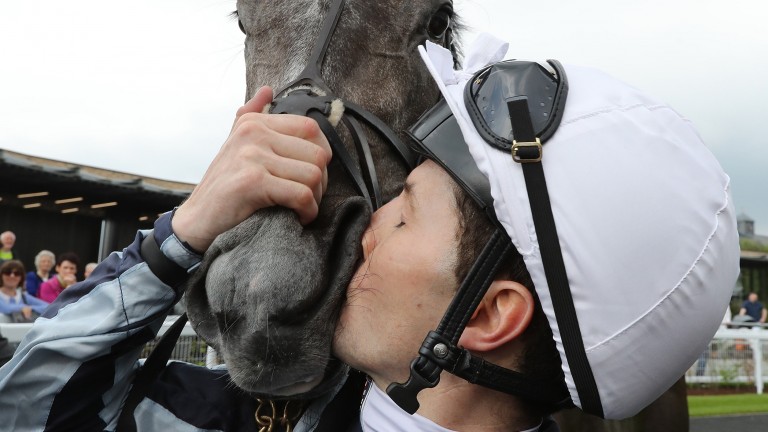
pixel 502 316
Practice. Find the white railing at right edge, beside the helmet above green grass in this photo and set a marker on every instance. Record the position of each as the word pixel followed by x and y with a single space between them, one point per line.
pixel 735 356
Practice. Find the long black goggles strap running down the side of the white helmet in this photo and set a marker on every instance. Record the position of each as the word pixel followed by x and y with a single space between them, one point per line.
pixel 554 266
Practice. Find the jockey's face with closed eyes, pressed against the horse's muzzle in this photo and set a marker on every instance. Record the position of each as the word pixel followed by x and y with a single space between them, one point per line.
pixel 406 281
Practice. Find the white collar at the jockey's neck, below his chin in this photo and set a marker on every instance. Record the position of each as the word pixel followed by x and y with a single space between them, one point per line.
pixel 380 414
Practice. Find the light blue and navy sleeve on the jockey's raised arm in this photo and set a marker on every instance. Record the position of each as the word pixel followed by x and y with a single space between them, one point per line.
pixel 73 369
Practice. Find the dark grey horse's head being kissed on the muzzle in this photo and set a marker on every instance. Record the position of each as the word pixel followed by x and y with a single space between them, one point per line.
pixel 268 293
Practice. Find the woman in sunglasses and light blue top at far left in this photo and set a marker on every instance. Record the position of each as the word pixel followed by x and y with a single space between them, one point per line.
pixel 15 305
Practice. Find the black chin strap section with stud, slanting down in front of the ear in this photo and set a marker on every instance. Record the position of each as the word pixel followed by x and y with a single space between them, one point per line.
pixel 439 351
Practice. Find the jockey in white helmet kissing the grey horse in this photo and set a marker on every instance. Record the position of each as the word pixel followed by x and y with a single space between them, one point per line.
pixel 568 241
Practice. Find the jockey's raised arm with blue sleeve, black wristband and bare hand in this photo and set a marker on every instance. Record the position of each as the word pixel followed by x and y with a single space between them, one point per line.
pixel 73 370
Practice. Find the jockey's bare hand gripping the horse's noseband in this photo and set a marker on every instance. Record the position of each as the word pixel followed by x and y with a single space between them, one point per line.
pixel 267 160
